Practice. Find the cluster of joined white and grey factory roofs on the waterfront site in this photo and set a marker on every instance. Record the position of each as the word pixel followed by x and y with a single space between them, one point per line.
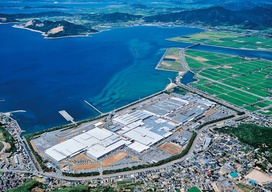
pixel 137 129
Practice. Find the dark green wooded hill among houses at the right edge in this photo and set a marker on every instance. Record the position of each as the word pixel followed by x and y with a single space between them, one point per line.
pixel 254 135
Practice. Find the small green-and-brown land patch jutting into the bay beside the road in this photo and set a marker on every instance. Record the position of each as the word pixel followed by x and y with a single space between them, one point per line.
pixel 171 60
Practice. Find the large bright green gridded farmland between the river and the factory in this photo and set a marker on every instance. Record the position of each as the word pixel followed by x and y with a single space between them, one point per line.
pixel 242 82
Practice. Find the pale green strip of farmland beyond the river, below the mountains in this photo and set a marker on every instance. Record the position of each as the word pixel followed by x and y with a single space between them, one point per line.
pixel 227 40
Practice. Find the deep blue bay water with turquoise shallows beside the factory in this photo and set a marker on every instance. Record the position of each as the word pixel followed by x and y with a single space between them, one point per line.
pixel 109 69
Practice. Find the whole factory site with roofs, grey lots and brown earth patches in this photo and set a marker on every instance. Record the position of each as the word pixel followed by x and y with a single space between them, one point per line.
pixel 149 131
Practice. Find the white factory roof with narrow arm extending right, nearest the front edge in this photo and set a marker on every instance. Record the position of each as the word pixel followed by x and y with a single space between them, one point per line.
pixel 98 150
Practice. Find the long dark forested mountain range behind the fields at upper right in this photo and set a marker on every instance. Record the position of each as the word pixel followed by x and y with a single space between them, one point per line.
pixel 257 18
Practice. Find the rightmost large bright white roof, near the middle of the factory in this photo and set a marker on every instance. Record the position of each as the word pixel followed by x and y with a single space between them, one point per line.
pixel 143 136
